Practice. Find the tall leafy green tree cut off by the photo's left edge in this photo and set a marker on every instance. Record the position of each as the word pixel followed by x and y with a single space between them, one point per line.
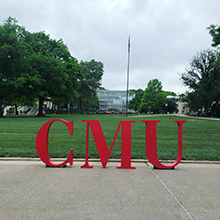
pixel 13 61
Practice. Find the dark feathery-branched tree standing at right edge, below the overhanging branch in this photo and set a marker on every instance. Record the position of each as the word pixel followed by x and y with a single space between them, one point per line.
pixel 202 77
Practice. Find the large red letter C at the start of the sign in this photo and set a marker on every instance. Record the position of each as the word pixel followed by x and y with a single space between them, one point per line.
pixel 42 143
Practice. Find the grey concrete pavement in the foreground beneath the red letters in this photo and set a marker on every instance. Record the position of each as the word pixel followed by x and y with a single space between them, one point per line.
pixel 29 190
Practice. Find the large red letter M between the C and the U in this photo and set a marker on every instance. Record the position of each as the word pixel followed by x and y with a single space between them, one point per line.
pixel 102 147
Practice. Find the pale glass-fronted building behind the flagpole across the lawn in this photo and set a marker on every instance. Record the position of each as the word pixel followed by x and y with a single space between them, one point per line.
pixel 113 99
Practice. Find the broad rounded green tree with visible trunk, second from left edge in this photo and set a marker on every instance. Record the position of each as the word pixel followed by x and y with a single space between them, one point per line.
pixel 55 73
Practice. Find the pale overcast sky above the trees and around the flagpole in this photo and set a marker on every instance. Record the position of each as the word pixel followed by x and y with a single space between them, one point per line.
pixel 165 34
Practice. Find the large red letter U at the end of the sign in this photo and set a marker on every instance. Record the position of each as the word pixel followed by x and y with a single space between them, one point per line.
pixel 151 143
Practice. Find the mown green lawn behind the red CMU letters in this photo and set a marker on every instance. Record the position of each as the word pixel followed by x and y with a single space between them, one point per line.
pixel 201 137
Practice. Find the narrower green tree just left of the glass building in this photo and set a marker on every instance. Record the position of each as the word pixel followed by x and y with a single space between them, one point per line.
pixel 92 72
